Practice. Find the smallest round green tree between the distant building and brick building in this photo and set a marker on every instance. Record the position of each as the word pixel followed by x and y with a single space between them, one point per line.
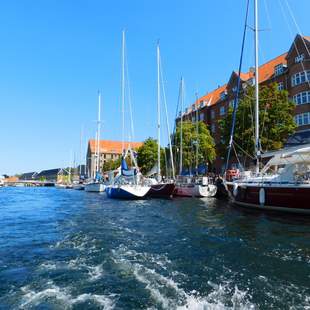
pixel 147 156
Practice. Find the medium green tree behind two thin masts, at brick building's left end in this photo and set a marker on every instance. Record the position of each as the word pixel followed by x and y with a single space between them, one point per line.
pixel 191 138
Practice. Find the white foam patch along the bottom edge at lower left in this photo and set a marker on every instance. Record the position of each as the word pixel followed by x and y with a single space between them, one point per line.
pixel 32 298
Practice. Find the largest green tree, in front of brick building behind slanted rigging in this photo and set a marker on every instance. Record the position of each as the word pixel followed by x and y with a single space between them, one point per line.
pixel 275 119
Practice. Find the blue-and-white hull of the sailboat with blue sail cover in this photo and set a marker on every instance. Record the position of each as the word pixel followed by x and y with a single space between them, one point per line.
pixel 127 192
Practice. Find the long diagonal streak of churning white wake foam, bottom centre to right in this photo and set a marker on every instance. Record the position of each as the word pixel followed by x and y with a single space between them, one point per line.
pixel 168 293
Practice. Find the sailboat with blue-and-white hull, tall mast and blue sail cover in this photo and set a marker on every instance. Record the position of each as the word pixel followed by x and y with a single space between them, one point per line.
pixel 128 183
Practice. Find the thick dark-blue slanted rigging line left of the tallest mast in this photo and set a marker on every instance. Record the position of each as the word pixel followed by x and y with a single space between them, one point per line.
pixel 238 85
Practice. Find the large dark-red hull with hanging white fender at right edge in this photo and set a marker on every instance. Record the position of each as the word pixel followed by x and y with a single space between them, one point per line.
pixel 286 198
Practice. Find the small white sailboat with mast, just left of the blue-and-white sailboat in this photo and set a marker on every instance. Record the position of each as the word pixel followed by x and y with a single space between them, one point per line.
pixel 96 184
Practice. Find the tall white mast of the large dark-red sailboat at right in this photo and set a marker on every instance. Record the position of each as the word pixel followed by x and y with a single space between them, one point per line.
pixel 257 143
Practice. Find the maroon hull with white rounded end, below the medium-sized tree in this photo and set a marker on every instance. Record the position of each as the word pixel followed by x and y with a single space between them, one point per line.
pixel 195 190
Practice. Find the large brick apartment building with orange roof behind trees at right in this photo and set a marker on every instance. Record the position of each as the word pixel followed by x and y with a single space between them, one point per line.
pixel 291 71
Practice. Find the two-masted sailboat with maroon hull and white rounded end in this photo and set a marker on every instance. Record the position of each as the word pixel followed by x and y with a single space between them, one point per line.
pixel 191 186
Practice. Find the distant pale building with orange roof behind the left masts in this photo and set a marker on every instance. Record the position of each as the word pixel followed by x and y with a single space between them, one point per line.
pixel 109 150
